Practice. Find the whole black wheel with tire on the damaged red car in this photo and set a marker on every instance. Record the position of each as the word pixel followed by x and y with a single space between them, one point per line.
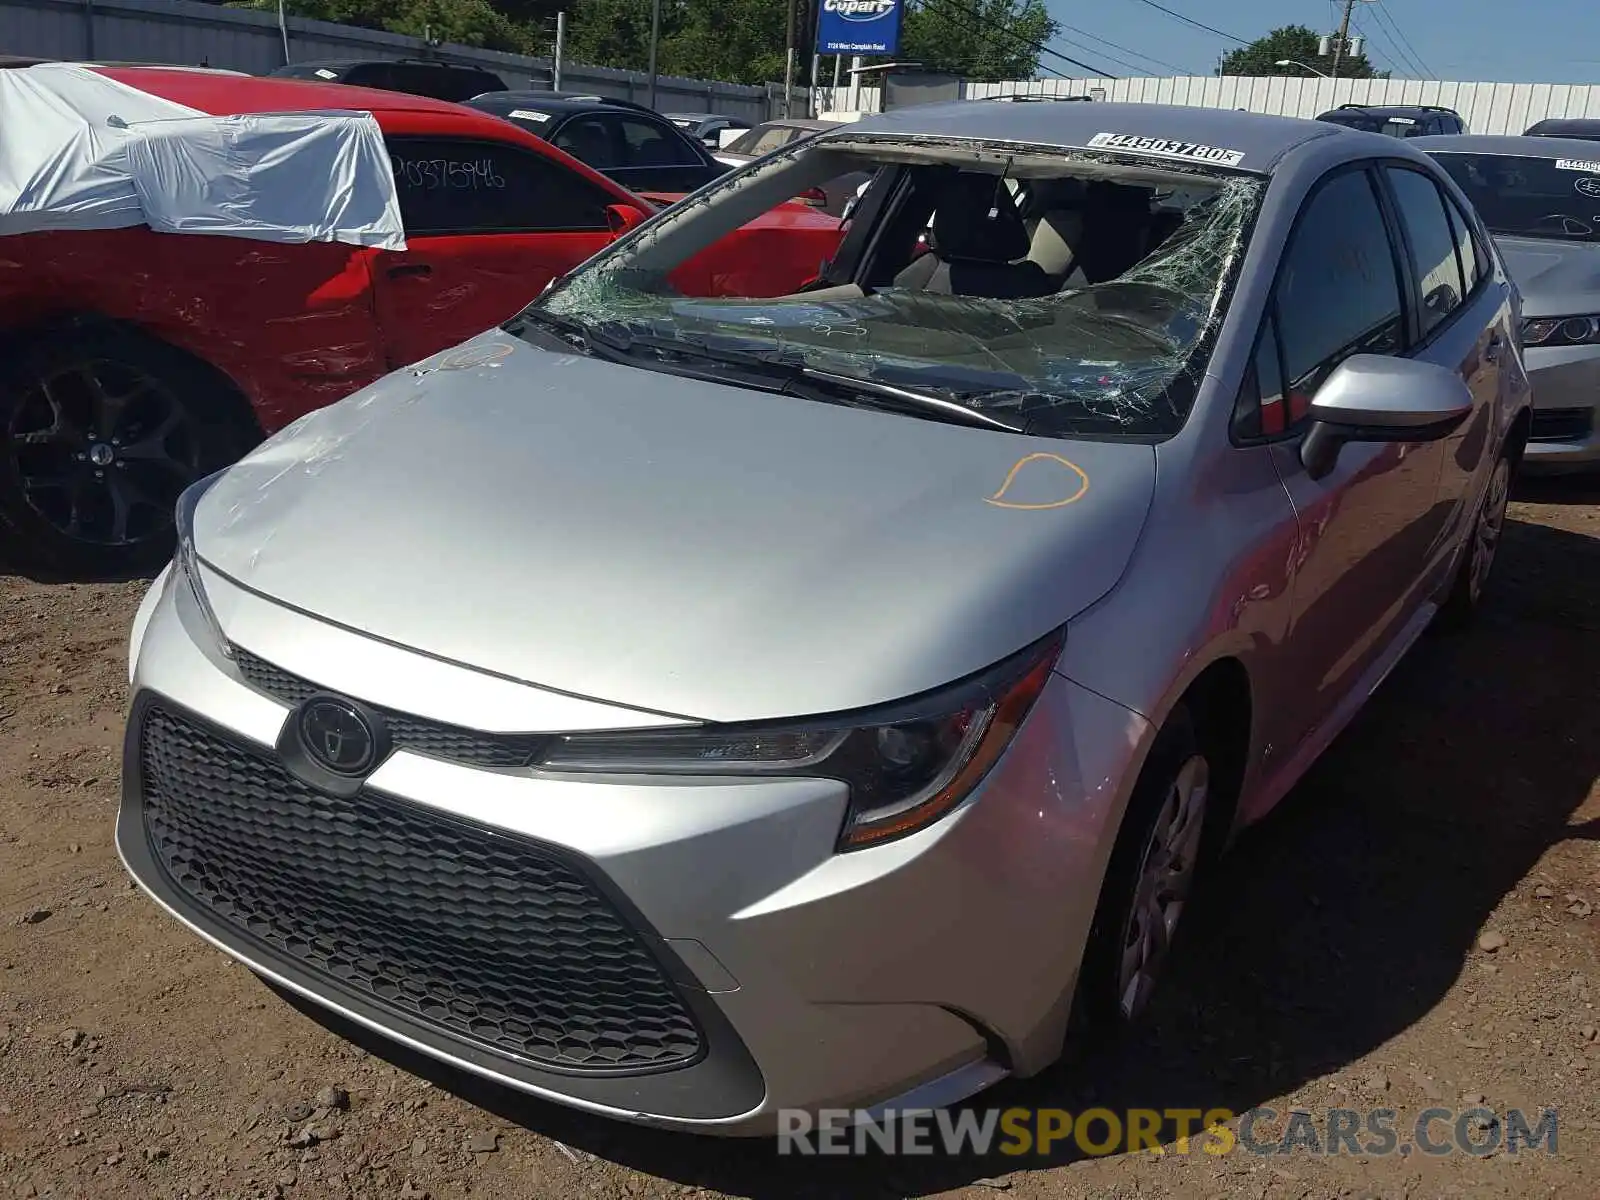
pixel 102 428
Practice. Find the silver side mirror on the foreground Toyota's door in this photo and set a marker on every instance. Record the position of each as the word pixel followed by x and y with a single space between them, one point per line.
pixel 1374 398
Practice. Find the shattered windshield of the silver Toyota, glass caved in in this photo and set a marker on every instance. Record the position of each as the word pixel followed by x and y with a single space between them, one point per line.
pixel 1049 294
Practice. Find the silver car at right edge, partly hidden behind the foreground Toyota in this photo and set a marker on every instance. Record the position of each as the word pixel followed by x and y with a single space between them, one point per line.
pixel 1540 198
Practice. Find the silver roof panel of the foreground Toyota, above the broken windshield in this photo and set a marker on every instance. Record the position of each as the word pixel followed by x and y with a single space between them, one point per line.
pixel 1178 132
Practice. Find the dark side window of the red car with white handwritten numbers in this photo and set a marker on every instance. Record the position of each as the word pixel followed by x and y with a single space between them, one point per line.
pixel 465 186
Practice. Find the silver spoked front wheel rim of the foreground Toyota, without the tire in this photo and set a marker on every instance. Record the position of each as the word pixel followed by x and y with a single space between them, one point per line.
pixel 1167 874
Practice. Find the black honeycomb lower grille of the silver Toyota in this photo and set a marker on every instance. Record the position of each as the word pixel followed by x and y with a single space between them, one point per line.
pixel 479 935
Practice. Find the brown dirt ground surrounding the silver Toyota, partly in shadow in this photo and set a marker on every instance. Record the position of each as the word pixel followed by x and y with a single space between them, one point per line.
pixel 1338 961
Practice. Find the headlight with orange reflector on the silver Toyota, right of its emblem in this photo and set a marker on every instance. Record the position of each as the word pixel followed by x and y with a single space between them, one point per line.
pixel 906 766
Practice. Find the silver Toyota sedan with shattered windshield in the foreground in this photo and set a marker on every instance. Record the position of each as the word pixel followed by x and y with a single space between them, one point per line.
pixel 689 710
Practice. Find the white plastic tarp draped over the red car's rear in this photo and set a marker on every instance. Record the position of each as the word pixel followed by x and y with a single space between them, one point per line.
pixel 82 151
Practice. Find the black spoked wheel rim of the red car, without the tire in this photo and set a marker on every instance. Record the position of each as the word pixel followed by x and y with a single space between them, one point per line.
pixel 102 452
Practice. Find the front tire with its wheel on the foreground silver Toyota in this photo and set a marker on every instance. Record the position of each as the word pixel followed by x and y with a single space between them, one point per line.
pixel 1113 996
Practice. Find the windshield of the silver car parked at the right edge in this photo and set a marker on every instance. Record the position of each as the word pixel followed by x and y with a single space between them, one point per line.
pixel 1521 196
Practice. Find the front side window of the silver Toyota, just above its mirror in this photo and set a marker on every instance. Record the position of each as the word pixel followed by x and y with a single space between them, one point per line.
pixel 1338 289
